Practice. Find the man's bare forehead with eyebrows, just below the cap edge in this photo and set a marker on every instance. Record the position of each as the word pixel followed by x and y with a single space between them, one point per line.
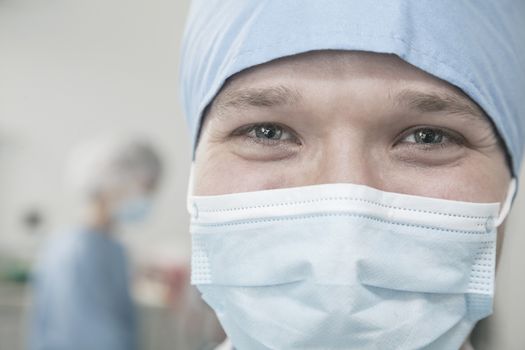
pixel 292 80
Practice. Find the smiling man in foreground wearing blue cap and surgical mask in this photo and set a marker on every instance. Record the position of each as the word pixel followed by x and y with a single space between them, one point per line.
pixel 354 163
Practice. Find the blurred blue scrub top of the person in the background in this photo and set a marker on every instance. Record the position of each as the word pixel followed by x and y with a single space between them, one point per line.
pixel 81 296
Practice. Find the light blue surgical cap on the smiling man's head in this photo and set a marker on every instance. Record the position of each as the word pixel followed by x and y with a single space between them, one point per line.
pixel 476 45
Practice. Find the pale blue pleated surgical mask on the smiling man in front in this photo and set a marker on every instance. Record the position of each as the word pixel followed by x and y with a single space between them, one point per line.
pixel 343 266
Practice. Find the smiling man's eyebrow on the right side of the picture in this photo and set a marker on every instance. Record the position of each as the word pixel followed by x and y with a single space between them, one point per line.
pixel 431 102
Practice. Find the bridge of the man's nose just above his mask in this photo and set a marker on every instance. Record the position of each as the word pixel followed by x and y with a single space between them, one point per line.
pixel 347 159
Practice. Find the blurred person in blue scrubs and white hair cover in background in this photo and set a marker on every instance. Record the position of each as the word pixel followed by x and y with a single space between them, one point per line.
pixel 81 281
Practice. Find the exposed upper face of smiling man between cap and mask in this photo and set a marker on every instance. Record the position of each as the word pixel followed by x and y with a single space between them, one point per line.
pixel 348 117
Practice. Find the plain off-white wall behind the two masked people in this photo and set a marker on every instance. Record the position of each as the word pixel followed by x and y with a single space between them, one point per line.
pixel 72 68
